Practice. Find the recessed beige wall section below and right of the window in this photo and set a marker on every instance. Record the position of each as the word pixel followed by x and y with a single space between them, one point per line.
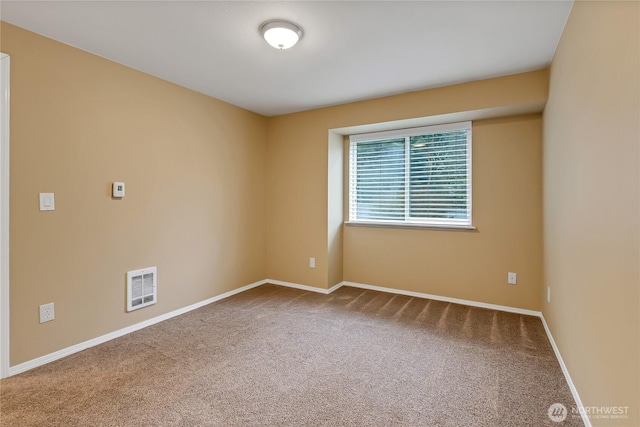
pixel 507 212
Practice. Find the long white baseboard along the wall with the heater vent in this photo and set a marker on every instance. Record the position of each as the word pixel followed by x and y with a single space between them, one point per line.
pixel 34 363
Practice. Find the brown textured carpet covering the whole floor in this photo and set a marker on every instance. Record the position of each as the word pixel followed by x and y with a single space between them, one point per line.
pixel 280 356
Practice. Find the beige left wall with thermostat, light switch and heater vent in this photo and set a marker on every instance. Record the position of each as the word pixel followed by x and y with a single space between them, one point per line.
pixel 194 206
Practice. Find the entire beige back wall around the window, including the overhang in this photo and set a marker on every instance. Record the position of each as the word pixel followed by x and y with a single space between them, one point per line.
pixel 302 200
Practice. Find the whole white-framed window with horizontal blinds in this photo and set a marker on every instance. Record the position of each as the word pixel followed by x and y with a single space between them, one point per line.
pixel 419 176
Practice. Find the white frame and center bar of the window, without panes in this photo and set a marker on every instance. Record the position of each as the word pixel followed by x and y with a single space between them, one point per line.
pixel 409 222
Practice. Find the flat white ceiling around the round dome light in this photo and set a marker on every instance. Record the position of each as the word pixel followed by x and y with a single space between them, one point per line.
pixel 350 51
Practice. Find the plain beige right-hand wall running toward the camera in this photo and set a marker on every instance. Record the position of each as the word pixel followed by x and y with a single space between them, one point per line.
pixel 591 203
